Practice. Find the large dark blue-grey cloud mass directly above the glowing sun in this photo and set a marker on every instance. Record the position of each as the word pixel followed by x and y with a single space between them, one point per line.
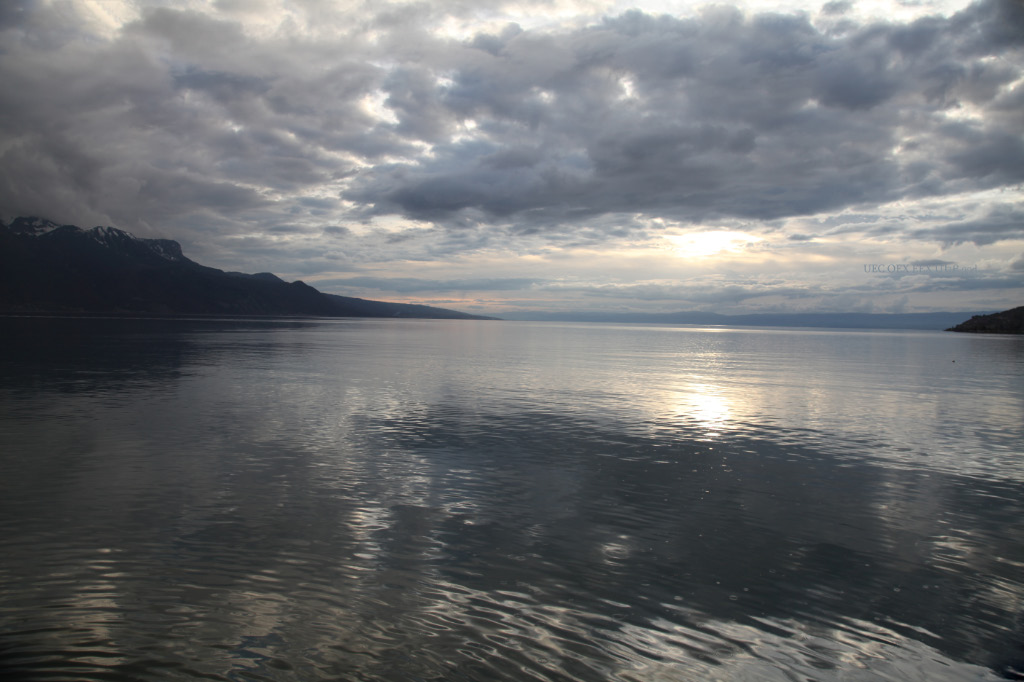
pixel 762 117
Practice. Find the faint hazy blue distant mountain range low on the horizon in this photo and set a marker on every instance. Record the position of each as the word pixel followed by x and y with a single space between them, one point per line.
pixel 919 321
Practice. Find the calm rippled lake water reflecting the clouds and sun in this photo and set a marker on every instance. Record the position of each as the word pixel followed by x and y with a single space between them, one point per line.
pixel 446 500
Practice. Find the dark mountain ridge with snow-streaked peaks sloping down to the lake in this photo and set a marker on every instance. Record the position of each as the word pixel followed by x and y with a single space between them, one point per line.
pixel 64 269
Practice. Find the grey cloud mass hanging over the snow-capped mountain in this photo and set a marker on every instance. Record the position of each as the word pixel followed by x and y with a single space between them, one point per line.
pixel 179 115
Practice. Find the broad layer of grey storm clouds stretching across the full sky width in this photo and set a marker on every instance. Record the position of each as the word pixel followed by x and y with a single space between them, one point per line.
pixel 181 116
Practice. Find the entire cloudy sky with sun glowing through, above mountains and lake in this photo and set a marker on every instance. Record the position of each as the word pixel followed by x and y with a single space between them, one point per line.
pixel 492 156
